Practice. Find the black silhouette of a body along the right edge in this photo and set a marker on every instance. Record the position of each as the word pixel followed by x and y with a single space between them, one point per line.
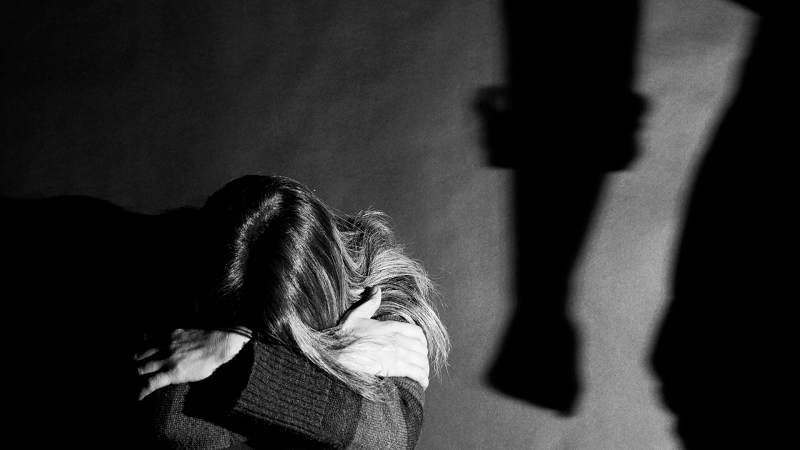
pixel 724 351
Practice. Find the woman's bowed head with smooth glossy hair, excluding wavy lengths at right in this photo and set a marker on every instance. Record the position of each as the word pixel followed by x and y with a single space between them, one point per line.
pixel 282 254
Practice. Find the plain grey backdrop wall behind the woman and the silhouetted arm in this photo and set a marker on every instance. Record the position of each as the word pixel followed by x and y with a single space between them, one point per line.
pixel 154 105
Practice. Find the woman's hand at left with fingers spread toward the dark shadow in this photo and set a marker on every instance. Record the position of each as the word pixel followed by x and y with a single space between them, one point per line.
pixel 192 355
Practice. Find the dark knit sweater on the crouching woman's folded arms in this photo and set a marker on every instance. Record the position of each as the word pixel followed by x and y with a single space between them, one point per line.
pixel 271 397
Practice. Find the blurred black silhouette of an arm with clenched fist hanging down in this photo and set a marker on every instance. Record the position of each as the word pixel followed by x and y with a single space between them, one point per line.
pixel 568 116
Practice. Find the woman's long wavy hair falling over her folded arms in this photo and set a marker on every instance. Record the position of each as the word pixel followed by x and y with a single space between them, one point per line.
pixel 292 266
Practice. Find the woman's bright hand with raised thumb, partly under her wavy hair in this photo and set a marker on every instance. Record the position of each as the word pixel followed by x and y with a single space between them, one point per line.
pixel 389 349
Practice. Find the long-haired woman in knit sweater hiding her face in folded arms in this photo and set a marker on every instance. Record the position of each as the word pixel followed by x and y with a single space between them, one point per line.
pixel 286 322
